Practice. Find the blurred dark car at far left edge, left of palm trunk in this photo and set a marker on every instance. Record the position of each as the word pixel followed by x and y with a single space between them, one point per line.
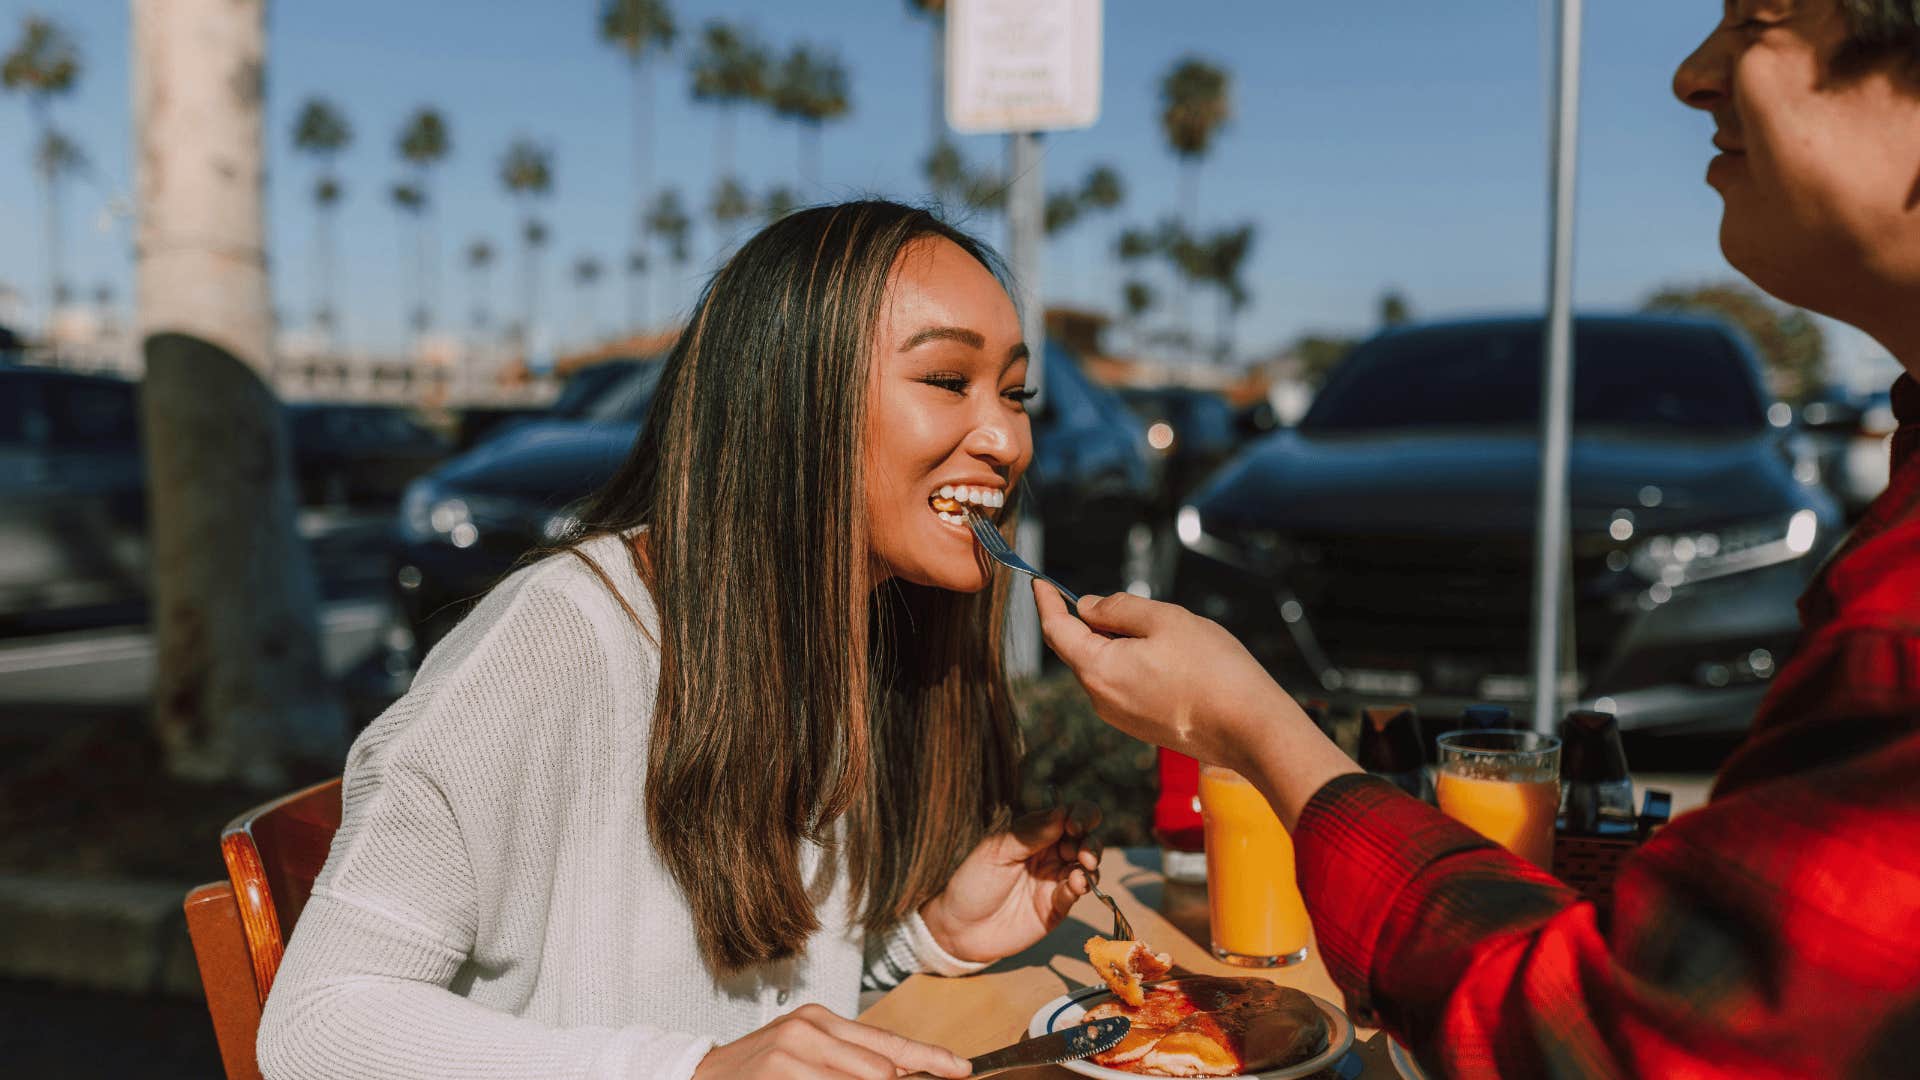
pixel 72 503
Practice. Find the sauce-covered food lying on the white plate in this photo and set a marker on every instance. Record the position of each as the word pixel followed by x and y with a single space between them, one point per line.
pixel 1214 1027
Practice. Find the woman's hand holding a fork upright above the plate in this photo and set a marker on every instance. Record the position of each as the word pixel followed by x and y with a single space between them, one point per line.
pixel 1017 885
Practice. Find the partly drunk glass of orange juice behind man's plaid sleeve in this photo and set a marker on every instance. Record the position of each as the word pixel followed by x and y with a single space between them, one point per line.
pixel 1504 785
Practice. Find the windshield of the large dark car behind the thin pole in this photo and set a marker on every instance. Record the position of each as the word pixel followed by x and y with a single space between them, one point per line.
pixel 1646 376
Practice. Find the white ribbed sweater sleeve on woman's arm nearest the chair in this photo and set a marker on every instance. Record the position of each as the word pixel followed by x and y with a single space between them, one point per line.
pixel 368 985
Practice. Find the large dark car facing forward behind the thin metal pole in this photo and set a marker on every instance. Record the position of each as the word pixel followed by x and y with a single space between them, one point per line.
pixel 1383 551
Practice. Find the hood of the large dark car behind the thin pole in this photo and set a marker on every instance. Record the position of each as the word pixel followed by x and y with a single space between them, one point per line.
pixel 1487 483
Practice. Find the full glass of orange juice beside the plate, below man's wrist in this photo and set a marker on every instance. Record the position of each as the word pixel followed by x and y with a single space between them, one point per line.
pixel 1255 904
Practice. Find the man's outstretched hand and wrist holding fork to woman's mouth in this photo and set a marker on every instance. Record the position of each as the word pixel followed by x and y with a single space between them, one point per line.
pixel 1174 679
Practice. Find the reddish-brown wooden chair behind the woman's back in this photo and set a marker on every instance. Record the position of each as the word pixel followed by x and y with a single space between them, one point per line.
pixel 239 927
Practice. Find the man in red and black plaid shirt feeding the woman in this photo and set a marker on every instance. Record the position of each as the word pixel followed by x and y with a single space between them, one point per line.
pixel 1777 931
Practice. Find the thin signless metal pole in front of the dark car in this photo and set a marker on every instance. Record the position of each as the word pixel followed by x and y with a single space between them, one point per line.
pixel 1550 551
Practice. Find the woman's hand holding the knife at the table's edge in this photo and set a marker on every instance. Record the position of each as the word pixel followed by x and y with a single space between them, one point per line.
pixel 813 1043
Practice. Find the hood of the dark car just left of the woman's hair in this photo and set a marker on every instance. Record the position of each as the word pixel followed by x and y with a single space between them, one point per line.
pixel 542 462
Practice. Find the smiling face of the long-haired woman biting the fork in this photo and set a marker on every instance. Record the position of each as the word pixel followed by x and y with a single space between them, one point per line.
pixel 948 418
